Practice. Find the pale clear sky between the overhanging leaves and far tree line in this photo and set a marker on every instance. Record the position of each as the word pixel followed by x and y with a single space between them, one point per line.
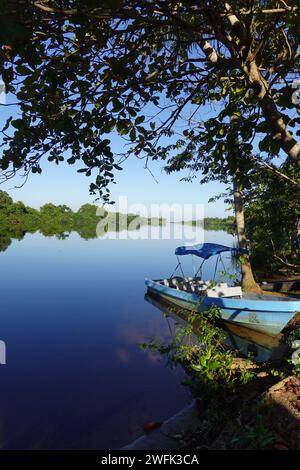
pixel 61 184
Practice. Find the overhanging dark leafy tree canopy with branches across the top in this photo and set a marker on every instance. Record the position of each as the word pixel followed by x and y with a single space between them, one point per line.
pixel 149 70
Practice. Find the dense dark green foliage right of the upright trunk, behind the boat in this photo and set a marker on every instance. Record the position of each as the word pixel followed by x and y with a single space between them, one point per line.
pixel 273 221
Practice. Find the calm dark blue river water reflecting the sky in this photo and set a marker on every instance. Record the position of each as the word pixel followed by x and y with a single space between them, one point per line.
pixel 72 316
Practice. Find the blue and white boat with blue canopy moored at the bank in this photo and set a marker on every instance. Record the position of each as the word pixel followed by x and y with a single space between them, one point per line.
pixel 264 312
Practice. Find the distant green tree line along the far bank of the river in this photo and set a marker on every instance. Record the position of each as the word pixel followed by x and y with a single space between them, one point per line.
pixel 89 221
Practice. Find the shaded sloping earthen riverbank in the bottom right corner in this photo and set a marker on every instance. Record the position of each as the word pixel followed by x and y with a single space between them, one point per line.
pixel 263 415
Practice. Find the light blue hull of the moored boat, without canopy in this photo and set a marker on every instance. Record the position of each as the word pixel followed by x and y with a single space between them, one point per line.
pixel 260 314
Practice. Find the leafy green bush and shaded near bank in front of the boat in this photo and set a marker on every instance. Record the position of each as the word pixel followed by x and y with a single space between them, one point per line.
pixel 241 404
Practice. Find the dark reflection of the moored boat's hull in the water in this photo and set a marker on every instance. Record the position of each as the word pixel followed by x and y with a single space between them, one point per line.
pixel 249 343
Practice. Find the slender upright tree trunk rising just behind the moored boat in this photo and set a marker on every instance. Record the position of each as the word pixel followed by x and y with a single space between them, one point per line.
pixel 248 282
